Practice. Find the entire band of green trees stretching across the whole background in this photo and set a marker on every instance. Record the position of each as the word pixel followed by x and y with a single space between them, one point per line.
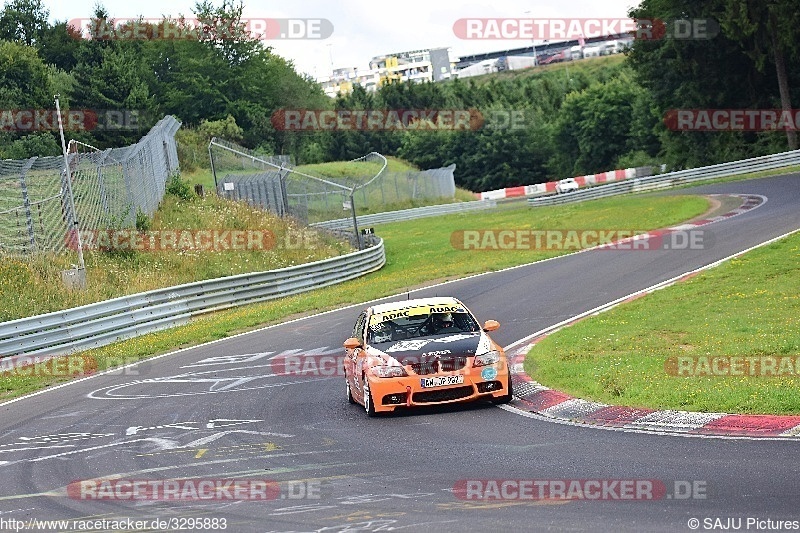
pixel 572 119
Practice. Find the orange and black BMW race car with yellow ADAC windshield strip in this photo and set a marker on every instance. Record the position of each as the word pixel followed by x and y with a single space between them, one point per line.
pixel 426 351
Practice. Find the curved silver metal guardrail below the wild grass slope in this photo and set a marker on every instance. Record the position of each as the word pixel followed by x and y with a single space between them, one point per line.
pixel 98 324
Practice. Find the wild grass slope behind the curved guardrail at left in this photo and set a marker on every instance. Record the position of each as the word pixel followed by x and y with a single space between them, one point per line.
pixel 34 287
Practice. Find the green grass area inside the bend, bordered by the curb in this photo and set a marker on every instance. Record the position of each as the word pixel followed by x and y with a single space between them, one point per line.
pixel 659 351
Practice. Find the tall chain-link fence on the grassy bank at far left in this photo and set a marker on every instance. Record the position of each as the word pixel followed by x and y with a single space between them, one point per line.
pixel 109 187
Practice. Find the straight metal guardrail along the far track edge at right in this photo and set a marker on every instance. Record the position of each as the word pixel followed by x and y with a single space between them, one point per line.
pixel 674 179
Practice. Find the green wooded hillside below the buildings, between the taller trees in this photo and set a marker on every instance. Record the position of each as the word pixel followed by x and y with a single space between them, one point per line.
pixel 568 121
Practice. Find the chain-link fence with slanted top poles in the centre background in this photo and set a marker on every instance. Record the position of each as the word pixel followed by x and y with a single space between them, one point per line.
pixel 242 174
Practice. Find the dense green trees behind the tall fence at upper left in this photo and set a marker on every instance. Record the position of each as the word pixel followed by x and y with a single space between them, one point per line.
pixel 223 72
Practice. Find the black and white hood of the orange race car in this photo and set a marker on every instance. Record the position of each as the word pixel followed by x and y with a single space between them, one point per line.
pixel 426 349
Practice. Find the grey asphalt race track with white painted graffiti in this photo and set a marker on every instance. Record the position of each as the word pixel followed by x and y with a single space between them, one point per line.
pixel 220 412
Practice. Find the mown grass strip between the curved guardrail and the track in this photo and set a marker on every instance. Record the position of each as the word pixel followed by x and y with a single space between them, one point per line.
pixel 418 252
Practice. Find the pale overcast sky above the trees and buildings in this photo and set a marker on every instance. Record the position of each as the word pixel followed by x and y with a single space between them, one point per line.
pixel 363 29
